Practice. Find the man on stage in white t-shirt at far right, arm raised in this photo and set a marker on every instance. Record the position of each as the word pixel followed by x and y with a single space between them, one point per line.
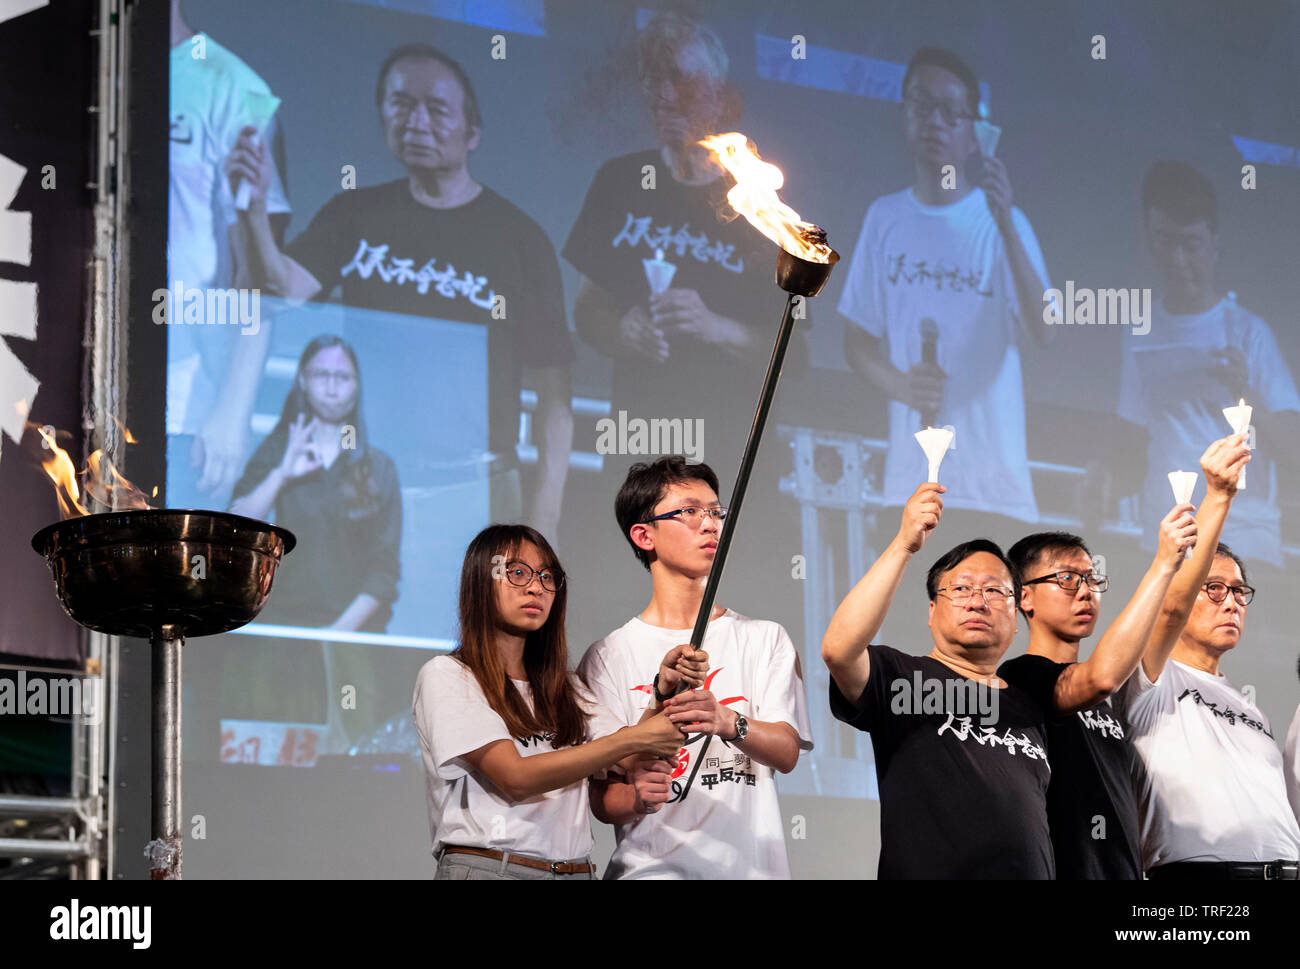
pixel 1212 793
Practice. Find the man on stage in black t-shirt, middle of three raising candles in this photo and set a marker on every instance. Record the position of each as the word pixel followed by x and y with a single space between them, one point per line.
pixel 1091 804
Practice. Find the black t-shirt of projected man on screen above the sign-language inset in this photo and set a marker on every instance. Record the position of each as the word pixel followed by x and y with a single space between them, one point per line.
pixel 391 253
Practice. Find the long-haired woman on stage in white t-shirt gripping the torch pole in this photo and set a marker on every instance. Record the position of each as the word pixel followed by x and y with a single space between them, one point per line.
pixel 509 736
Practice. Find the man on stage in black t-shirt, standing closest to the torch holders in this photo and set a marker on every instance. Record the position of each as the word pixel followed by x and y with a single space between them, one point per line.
pixel 961 756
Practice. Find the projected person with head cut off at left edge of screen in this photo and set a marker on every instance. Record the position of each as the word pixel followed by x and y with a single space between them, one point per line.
pixel 213 370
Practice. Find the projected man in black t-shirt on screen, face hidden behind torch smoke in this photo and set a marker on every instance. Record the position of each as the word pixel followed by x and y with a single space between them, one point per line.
pixel 692 332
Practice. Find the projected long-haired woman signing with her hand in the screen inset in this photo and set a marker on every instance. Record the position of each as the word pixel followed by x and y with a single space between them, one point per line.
pixel 320 478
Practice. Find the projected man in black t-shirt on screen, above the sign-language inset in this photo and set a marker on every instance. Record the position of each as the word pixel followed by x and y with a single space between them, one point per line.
pixel 437 244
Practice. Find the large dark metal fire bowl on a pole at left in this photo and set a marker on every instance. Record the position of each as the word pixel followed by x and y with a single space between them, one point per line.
pixel 133 573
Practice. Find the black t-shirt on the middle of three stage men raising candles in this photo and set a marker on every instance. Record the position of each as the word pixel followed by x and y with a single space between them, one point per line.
pixel 1091 803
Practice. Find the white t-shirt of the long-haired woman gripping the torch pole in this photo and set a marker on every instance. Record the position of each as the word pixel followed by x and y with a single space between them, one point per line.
pixel 453 719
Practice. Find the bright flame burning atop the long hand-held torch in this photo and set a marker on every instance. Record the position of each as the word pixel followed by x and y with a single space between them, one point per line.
pixel 755 197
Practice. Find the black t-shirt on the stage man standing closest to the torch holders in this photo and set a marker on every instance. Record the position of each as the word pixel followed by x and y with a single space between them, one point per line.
pixel 964 775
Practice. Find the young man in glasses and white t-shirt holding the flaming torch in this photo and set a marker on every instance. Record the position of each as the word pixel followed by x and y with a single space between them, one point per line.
pixel 714 814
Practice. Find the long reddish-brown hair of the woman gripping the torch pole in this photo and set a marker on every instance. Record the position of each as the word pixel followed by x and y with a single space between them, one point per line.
pixel 557 710
